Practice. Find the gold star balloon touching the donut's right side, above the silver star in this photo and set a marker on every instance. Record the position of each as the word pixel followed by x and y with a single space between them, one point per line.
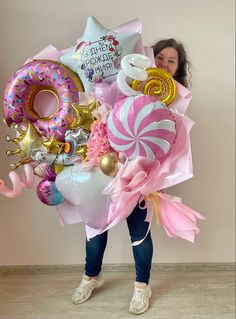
pixel 84 117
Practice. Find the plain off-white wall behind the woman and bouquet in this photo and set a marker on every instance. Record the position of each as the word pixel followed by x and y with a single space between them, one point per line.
pixel 30 232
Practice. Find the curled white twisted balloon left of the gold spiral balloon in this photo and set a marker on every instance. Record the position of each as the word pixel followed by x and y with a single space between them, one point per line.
pixel 133 67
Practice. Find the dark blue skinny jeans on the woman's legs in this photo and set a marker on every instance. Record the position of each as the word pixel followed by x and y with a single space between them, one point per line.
pixel 142 253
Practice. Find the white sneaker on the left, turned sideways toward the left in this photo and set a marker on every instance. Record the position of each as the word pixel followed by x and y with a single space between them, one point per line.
pixel 87 285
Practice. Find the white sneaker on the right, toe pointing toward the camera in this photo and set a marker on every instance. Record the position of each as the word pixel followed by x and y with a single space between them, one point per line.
pixel 140 300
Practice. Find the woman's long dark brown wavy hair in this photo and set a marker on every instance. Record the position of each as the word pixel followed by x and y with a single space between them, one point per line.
pixel 183 74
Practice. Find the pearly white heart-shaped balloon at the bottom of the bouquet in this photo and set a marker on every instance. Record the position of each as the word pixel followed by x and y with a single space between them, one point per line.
pixel 83 187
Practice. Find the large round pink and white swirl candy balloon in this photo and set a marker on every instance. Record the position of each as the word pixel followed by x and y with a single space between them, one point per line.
pixel 141 126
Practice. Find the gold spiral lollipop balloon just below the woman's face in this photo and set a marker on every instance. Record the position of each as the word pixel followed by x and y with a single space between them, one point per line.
pixel 159 83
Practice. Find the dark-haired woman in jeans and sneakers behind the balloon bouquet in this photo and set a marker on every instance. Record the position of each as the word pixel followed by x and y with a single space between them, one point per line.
pixel 170 56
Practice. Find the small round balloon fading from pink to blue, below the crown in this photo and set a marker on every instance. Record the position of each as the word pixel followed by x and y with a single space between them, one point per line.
pixel 48 193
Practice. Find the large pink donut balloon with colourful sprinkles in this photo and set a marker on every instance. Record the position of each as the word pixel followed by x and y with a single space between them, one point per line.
pixel 39 76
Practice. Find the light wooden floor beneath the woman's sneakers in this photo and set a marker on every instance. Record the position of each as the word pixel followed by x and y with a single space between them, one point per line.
pixel 176 295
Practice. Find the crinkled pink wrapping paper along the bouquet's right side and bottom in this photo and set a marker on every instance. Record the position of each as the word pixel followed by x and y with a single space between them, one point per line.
pixel 140 177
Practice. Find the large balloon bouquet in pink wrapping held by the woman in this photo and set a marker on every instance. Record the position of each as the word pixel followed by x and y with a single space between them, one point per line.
pixel 117 137
